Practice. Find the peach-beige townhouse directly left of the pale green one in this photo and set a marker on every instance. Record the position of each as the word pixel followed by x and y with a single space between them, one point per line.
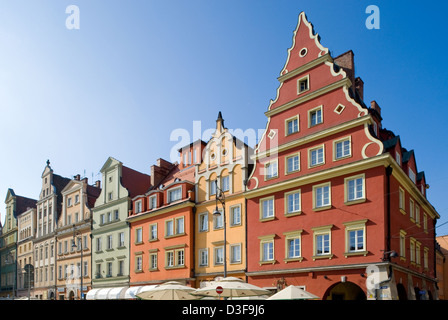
pixel 73 239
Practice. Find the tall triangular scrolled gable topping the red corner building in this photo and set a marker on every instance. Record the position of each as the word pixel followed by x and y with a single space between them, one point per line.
pixel 318 102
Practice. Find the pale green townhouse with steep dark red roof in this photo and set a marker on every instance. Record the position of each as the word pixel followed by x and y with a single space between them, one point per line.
pixel 110 229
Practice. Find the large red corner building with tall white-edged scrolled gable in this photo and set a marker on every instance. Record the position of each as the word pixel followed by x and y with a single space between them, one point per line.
pixel 334 200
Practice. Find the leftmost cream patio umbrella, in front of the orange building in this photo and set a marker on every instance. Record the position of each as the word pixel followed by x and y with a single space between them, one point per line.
pixel 171 290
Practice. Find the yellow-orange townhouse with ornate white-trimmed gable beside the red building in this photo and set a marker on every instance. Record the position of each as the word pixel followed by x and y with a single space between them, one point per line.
pixel 222 172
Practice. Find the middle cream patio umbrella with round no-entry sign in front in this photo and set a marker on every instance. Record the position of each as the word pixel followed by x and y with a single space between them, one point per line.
pixel 232 287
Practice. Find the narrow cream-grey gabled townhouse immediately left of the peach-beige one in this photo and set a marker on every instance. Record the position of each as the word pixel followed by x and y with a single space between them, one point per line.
pixel 49 208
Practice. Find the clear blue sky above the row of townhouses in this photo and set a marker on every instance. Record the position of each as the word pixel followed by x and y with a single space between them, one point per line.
pixel 137 70
